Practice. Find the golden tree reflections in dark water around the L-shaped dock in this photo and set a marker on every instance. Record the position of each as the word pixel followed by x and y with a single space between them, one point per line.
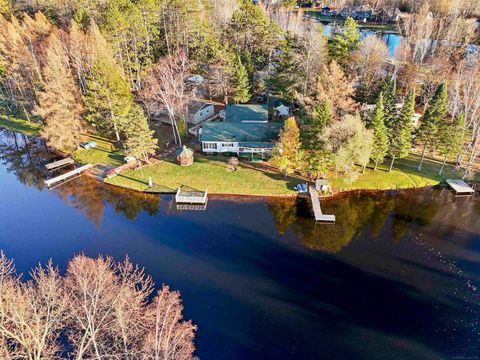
pixel 386 215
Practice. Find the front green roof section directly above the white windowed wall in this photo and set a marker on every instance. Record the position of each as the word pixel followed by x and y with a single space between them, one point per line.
pixel 241 132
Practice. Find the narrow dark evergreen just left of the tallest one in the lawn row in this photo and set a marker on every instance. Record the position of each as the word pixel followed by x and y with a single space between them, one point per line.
pixel 401 131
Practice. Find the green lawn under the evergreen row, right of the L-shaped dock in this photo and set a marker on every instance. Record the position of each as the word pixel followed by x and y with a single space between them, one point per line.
pixel 404 175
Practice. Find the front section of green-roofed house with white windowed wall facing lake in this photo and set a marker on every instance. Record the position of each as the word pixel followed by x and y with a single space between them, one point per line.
pixel 240 138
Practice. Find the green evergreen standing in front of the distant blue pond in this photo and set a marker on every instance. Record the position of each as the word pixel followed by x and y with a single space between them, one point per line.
pixel 344 42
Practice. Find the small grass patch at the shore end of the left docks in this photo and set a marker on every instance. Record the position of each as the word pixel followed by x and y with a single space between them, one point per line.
pixel 104 153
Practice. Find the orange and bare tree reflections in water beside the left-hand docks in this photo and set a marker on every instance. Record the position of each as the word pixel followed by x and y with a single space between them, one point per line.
pixel 25 157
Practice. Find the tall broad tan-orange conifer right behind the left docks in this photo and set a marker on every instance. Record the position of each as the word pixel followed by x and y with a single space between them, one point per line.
pixel 59 102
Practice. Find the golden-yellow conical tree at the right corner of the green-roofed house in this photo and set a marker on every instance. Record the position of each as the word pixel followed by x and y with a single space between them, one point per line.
pixel 286 156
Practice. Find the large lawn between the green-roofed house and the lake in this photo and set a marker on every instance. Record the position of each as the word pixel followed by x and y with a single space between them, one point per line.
pixel 208 173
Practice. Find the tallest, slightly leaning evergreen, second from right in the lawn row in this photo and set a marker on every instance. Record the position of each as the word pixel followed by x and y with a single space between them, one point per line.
pixel 432 119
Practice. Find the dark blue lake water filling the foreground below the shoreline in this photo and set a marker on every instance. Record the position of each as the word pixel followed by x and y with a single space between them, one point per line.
pixel 396 277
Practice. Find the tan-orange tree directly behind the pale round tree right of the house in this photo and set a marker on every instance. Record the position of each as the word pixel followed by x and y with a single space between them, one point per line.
pixel 333 85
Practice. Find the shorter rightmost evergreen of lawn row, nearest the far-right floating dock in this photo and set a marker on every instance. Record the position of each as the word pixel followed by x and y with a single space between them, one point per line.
pixel 451 135
